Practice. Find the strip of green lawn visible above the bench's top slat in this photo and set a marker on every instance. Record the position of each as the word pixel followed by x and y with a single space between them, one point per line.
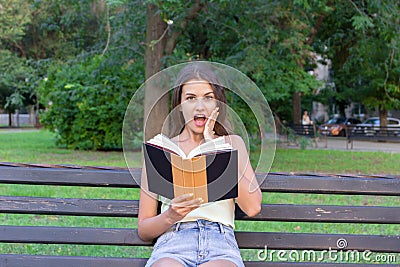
pixel 39 147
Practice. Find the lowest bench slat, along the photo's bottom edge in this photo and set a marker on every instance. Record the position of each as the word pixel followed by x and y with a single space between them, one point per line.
pixel 13 260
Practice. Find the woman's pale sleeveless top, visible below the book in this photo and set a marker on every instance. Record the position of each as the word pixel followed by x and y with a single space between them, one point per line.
pixel 222 211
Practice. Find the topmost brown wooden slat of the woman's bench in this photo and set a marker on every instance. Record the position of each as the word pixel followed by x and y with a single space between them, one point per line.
pixel 274 183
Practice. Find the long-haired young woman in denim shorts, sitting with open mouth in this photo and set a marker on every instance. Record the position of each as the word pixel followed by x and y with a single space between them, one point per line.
pixel 191 233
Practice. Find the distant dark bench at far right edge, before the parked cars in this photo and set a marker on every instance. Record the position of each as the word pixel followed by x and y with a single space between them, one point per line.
pixel 372 133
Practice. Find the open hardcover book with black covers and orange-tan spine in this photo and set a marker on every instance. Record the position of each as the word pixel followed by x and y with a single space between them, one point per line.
pixel 209 171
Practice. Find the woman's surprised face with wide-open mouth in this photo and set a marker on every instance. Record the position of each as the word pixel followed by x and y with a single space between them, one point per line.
pixel 197 102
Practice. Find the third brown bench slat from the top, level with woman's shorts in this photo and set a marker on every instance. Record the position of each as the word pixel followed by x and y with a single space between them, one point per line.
pixel 257 240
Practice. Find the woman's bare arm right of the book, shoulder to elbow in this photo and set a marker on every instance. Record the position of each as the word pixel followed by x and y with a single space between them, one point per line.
pixel 250 197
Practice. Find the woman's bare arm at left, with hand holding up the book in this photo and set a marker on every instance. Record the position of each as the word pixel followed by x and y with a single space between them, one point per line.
pixel 151 225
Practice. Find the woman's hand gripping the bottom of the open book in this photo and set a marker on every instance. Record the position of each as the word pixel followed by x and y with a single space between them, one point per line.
pixel 181 206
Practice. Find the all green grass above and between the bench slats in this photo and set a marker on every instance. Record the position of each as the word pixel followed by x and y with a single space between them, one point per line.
pixel 38 147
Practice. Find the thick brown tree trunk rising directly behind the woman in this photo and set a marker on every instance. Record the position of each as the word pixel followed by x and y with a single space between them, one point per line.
pixel 156 106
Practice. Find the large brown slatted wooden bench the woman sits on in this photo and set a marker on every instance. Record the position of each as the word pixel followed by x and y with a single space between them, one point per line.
pixel 260 242
